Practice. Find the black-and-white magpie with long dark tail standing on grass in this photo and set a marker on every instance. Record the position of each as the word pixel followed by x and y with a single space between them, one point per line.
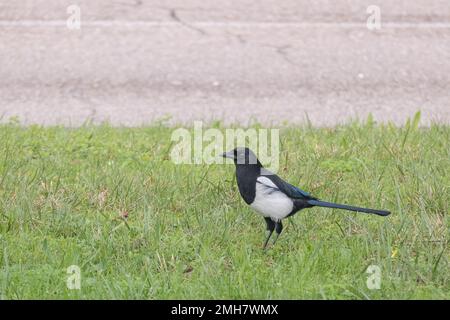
pixel 272 197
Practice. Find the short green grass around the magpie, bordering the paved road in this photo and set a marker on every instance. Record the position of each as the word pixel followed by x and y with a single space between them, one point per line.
pixel 189 234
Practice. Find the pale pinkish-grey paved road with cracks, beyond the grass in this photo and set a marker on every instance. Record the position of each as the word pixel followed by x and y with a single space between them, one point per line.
pixel 271 61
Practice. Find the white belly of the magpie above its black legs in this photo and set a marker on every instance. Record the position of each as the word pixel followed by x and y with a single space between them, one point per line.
pixel 273 204
